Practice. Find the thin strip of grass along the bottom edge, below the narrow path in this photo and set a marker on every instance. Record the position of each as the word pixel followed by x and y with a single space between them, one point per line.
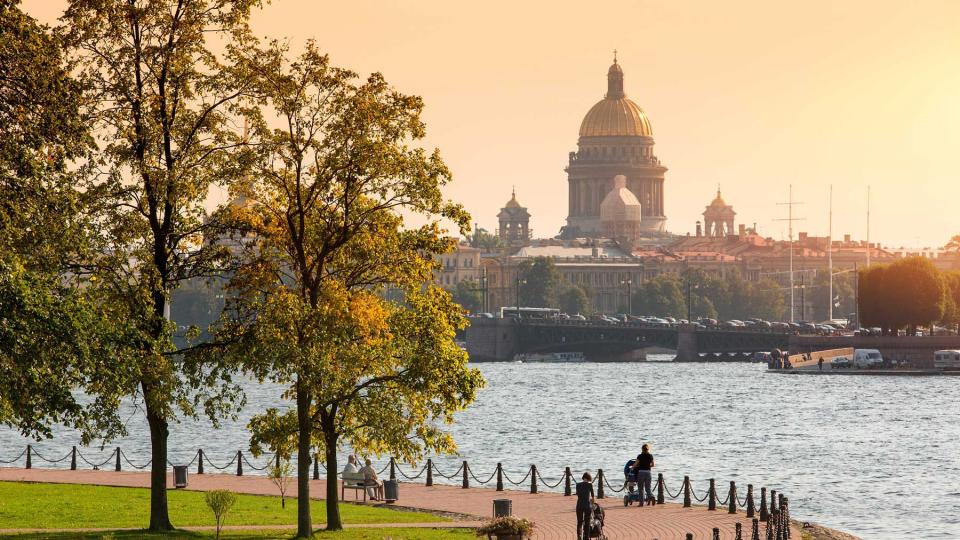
pixel 350 534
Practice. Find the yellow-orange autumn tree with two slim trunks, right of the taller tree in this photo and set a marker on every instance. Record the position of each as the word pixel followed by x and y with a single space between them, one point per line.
pixel 324 237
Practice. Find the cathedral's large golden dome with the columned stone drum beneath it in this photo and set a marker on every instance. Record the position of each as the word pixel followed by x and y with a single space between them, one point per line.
pixel 615 140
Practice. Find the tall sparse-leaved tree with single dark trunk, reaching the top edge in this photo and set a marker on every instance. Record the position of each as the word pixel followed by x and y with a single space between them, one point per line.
pixel 161 101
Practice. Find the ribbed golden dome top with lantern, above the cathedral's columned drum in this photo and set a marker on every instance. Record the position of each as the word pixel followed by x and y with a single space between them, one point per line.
pixel 615 115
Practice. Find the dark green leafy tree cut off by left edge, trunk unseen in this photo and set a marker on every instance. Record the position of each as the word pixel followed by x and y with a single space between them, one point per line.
pixel 52 335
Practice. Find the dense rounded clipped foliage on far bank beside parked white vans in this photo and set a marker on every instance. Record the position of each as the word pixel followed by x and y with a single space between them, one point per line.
pixel 906 293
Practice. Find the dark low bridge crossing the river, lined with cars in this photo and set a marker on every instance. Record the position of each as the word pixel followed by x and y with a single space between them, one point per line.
pixel 501 339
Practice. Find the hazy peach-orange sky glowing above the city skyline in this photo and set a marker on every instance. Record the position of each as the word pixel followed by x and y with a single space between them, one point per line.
pixel 750 95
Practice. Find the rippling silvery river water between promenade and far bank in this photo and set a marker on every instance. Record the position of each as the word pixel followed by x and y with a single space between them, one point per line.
pixel 875 456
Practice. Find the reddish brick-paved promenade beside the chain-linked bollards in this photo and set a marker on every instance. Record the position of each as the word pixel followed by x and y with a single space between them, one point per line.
pixel 552 512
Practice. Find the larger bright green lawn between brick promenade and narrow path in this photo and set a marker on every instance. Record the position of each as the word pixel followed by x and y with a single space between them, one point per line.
pixel 75 506
